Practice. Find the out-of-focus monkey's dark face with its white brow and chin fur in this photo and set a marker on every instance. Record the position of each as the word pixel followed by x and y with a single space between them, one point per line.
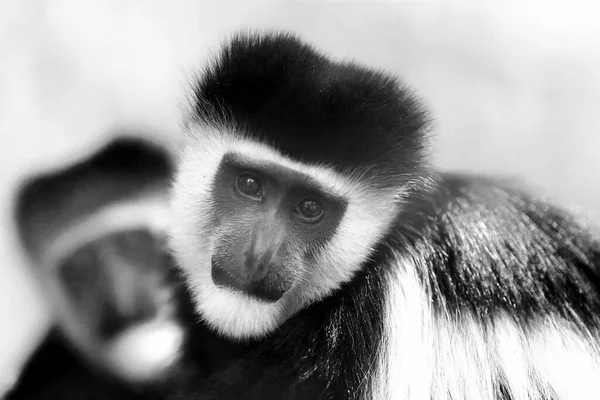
pixel 112 285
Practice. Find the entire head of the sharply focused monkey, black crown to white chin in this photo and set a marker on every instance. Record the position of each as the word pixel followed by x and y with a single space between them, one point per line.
pixel 293 168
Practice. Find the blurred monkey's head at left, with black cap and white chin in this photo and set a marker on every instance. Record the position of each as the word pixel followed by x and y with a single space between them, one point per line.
pixel 96 234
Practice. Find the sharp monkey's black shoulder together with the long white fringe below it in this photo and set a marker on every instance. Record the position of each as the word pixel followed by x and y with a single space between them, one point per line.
pixel 504 298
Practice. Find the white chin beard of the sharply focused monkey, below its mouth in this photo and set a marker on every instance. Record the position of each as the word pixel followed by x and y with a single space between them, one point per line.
pixel 239 316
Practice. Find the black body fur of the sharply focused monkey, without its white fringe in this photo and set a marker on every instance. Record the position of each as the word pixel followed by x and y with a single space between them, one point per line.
pixel 483 248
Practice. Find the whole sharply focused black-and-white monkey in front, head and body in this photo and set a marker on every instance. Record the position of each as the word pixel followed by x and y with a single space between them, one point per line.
pixel 320 246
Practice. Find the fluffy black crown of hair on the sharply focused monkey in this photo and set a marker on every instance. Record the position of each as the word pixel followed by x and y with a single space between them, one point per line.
pixel 282 92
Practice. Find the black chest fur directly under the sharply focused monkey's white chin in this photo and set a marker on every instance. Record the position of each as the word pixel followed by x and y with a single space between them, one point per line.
pixel 327 351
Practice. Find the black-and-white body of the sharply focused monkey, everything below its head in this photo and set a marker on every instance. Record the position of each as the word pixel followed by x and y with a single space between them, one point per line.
pixel 394 332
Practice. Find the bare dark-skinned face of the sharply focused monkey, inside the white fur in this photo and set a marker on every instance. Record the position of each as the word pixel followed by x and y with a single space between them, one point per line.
pixel 270 223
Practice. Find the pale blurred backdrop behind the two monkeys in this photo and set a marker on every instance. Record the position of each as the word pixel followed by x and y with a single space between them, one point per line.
pixel 514 87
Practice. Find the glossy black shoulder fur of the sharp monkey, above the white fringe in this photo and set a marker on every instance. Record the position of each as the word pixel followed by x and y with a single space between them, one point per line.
pixel 492 246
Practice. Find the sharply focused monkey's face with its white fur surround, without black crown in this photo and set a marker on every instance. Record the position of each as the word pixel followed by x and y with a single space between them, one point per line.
pixel 260 236
